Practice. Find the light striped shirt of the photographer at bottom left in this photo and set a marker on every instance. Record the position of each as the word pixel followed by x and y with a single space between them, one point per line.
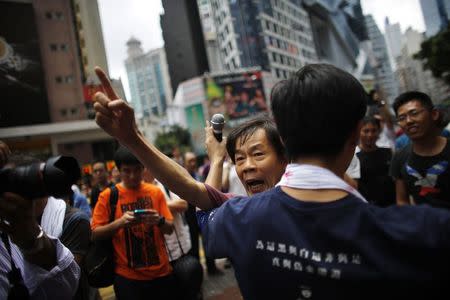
pixel 61 282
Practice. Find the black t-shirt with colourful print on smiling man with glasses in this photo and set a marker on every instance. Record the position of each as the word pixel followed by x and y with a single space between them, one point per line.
pixel 427 178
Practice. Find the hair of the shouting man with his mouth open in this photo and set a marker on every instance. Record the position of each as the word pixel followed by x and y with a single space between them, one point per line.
pixel 247 129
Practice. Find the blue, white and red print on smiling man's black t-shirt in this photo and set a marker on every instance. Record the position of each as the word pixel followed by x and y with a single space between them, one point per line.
pixel 428 182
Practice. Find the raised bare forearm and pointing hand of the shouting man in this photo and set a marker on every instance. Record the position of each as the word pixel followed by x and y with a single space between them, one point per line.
pixel 116 117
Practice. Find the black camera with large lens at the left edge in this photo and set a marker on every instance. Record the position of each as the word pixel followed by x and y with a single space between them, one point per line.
pixel 52 178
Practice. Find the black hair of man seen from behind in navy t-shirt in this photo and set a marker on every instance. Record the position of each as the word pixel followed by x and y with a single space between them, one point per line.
pixel 317 109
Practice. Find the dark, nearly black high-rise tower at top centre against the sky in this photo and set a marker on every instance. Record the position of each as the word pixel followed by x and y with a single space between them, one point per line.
pixel 183 40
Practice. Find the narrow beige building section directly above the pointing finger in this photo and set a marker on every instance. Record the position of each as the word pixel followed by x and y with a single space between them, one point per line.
pixel 90 37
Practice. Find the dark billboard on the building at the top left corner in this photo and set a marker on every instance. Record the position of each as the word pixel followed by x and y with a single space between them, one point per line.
pixel 24 97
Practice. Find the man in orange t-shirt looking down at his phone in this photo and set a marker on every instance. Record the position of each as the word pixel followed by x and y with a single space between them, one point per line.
pixel 141 216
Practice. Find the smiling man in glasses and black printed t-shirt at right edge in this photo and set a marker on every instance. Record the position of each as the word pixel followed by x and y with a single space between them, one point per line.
pixel 421 170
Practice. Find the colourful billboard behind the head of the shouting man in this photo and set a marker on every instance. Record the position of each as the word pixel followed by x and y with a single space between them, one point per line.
pixel 237 96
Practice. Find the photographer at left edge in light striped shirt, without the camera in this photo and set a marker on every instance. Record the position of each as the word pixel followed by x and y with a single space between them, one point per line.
pixel 33 265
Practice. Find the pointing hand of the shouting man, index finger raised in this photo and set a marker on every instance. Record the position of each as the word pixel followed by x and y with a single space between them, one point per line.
pixel 114 115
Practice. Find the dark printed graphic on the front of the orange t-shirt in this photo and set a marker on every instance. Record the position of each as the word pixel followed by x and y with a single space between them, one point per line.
pixel 140 239
